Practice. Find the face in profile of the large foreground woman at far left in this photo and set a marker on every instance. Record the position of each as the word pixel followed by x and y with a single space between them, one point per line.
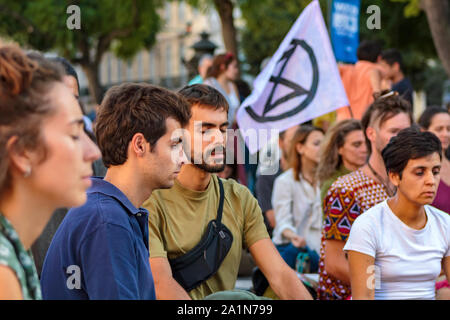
pixel 64 175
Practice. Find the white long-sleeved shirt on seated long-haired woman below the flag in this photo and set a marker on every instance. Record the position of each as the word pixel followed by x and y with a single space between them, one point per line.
pixel 297 207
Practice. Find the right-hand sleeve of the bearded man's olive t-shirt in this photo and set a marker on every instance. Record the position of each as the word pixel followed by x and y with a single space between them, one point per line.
pixel 254 227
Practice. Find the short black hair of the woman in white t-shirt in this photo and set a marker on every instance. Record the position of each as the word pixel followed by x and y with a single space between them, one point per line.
pixel 409 143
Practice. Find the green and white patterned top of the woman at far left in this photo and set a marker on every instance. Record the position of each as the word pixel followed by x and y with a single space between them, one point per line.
pixel 14 256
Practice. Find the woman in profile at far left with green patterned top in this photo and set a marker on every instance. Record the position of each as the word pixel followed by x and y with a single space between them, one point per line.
pixel 45 162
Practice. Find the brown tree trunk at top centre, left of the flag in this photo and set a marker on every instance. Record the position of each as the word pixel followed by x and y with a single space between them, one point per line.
pixel 229 34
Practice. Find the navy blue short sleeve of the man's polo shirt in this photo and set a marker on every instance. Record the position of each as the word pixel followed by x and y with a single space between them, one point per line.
pixel 106 266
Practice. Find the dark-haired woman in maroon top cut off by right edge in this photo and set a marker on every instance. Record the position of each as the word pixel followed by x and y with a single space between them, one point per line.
pixel 437 121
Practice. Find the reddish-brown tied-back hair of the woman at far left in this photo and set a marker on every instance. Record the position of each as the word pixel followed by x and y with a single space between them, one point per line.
pixel 25 82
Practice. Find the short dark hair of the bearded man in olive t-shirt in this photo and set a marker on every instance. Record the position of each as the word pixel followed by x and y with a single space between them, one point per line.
pixel 204 95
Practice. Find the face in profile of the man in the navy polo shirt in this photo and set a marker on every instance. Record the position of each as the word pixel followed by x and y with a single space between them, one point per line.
pixel 167 156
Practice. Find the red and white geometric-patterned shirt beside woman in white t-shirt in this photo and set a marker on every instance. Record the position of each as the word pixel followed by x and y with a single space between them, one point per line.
pixel 348 197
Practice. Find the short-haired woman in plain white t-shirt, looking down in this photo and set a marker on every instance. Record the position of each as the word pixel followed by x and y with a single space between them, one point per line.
pixel 396 249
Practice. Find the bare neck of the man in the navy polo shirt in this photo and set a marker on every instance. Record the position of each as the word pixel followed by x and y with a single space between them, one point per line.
pixel 128 180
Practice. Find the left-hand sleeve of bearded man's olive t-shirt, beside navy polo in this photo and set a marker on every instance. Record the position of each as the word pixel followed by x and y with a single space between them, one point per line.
pixel 155 241
